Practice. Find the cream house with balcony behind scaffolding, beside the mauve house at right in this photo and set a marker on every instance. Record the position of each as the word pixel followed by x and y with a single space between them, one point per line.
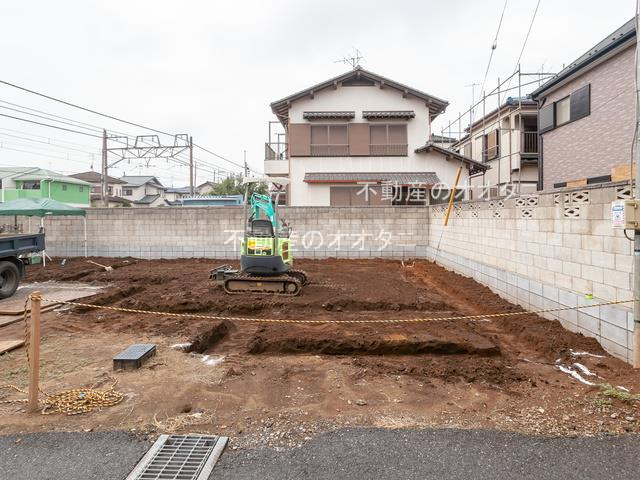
pixel 506 140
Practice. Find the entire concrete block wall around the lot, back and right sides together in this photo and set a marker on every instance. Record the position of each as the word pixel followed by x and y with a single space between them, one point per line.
pixel 539 251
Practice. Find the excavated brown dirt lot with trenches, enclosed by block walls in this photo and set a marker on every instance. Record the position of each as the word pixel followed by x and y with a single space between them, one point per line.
pixel 281 383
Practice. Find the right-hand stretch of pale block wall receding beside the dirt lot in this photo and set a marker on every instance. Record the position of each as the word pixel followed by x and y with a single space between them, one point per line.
pixel 547 251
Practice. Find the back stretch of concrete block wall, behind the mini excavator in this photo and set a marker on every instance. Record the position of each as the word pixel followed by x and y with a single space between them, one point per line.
pixel 318 232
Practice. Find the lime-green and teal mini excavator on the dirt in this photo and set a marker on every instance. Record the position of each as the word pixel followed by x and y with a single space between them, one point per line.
pixel 266 256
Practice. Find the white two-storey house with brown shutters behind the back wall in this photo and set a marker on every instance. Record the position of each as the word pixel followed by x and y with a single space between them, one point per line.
pixel 361 139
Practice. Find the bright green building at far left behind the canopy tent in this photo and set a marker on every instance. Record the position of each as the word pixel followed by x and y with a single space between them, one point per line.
pixel 33 182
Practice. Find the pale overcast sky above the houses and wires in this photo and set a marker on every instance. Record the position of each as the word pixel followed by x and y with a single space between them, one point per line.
pixel 211 68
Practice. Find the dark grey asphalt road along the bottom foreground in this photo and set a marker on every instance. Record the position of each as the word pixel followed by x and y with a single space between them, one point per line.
pixel 345 454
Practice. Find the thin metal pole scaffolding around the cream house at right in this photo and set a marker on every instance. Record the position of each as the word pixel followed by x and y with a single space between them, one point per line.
pixel 491 106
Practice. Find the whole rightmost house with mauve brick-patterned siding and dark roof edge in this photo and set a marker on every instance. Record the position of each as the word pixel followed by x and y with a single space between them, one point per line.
pixel 587 115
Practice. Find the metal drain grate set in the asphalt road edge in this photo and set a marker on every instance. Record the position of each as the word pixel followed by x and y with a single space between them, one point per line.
pixel 180 457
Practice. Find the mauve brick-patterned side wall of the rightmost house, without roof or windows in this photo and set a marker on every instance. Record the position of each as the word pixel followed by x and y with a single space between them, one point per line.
pixel 589 147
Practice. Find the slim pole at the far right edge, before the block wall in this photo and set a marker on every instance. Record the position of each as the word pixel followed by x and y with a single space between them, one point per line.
pixel 636 236
